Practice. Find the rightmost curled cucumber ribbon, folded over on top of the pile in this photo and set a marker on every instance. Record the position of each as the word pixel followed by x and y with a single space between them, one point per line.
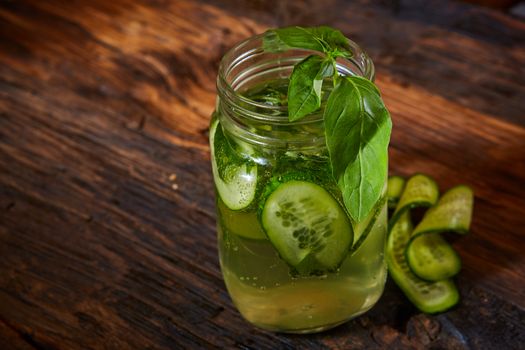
pixel 429 256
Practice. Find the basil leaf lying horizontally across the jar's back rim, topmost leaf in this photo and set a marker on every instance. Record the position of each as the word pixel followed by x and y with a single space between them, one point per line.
pixel 322 39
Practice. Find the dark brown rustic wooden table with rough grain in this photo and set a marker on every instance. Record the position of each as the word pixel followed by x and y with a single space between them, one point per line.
pixel 107 223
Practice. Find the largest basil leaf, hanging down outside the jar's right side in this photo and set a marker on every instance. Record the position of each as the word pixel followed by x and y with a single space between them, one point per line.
pixel 357 130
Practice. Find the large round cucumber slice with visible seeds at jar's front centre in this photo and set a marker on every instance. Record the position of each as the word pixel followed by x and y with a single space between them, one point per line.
pixel 307 226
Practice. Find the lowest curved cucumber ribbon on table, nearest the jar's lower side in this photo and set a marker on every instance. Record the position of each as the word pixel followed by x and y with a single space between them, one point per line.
pixel 429 297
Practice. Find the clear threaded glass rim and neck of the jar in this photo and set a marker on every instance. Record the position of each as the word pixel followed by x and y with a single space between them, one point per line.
pixel 246 65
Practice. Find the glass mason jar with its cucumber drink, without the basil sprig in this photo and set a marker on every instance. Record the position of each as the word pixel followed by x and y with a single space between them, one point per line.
pixel 291 257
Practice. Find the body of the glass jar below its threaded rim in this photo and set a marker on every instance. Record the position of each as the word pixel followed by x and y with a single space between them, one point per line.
pixel 254 158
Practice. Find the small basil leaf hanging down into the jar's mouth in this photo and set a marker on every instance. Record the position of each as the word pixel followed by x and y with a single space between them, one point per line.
pixel 304 89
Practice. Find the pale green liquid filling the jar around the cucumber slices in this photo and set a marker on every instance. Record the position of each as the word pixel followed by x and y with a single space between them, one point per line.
pixel 260 283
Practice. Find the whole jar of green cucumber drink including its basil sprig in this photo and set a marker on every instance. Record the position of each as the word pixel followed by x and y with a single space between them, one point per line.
pixel 301 243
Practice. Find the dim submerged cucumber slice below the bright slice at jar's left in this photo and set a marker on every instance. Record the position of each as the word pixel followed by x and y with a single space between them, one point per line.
pixel 240 223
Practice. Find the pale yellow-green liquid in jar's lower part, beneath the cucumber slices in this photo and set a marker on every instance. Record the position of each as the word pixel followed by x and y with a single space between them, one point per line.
pixel 267 295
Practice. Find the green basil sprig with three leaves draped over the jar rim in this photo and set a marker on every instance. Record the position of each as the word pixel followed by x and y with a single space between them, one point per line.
pixel 357 123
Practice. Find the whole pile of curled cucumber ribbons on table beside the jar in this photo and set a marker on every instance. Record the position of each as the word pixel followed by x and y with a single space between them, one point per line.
pixel 420 261
